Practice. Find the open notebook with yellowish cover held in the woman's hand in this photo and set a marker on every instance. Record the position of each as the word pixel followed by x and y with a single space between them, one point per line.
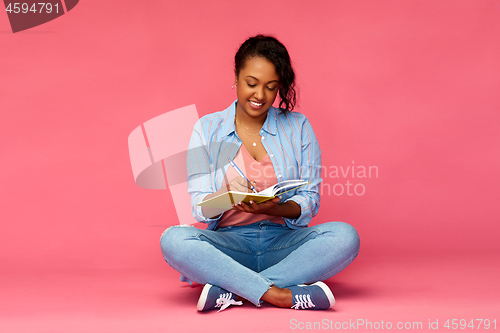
pixel 225 200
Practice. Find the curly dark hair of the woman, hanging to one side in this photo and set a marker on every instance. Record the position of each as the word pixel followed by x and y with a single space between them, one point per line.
pixel 271 49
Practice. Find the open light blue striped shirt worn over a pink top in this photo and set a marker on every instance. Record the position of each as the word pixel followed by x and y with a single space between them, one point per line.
pixel 288 139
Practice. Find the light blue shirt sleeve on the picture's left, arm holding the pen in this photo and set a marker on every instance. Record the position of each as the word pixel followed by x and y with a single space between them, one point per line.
pixel 200 171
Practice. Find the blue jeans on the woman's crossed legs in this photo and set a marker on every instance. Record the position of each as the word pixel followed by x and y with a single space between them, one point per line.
pixel 247 260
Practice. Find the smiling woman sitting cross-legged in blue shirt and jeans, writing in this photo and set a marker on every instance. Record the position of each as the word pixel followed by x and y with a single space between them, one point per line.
pixel 266 251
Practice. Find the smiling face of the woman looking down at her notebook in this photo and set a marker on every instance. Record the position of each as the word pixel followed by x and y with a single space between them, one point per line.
pixel 257 87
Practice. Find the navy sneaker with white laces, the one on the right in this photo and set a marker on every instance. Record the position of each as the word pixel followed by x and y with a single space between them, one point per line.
pixel 316 296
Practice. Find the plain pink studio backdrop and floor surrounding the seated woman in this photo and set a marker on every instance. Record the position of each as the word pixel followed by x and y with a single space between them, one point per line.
pixel 411 87
